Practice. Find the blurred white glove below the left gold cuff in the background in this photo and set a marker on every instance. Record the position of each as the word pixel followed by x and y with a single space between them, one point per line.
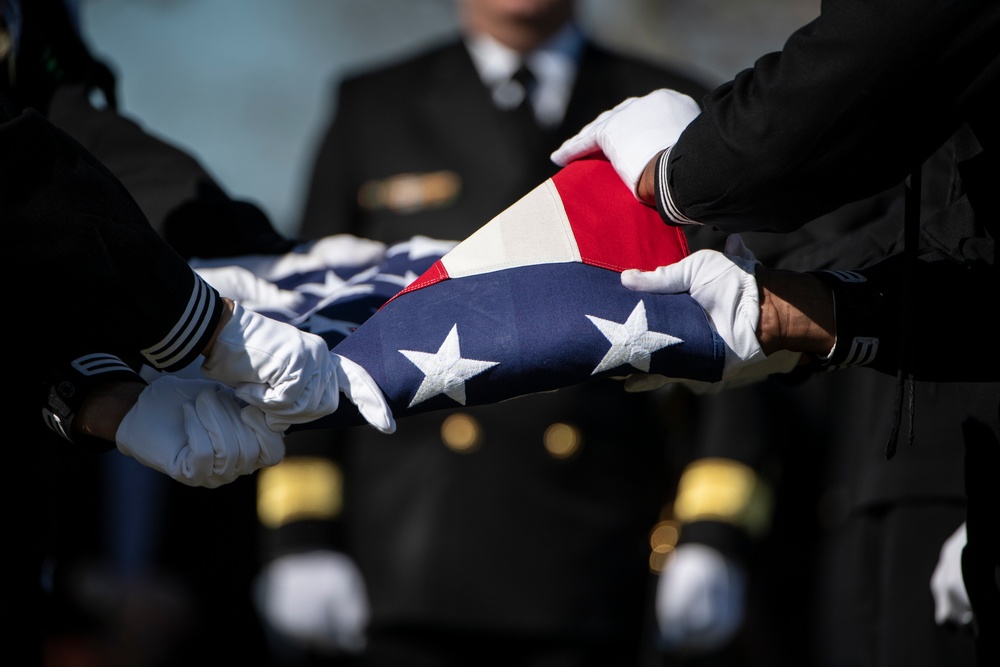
pixel 316 598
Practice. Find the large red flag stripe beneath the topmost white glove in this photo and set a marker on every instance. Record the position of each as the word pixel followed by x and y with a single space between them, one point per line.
pixel 613 230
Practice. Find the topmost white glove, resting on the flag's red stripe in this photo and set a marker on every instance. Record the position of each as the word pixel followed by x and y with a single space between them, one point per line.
pixel 632 133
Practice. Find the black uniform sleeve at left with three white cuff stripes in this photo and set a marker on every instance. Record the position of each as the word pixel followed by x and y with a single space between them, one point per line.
pixel 100 292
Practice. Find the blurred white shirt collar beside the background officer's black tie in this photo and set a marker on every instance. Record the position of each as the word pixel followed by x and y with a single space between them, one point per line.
pixel 553 64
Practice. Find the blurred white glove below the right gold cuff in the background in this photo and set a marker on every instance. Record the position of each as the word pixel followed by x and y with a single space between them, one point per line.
pixel 699 599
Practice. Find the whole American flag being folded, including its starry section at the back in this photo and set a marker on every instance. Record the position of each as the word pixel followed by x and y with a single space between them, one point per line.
pixel 530 302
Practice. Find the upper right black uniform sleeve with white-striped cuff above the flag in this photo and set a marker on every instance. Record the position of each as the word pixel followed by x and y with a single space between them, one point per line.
pixel 854 101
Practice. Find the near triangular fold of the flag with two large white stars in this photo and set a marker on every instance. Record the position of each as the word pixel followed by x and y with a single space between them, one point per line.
pixel 533 302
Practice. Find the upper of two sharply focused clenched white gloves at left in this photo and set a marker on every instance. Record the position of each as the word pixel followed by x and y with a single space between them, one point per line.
pixel 287 373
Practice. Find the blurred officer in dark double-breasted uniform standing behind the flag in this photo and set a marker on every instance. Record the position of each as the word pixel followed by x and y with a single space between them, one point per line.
pixel 515 533
